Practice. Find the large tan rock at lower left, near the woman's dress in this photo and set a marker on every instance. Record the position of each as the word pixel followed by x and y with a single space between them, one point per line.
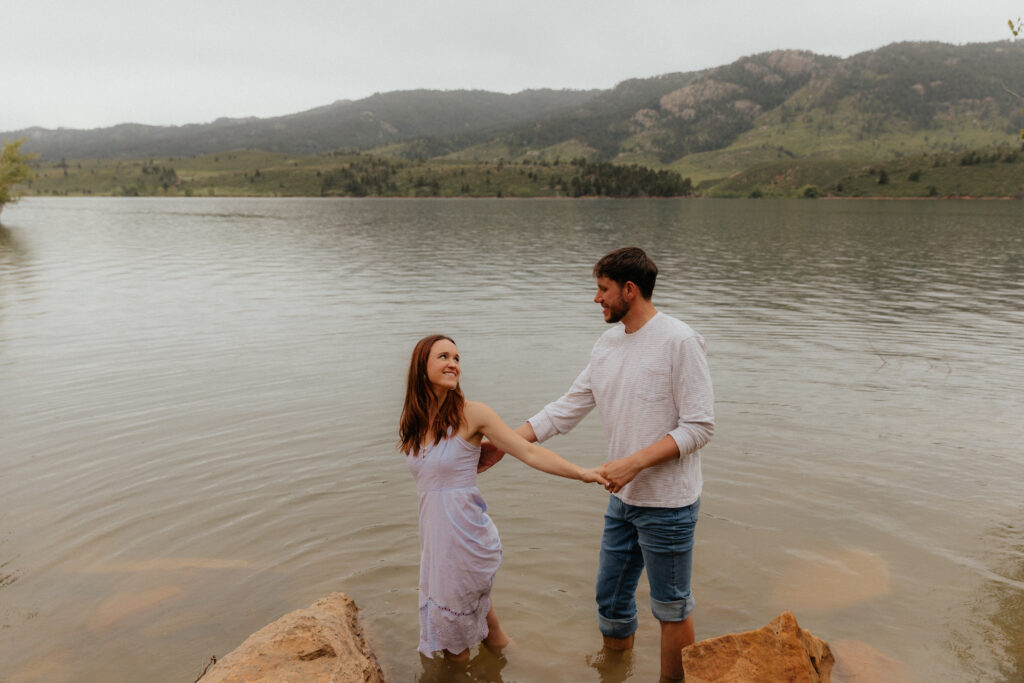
pixel 320 645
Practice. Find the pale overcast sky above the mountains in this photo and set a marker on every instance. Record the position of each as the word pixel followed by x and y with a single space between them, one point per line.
pixel 90 64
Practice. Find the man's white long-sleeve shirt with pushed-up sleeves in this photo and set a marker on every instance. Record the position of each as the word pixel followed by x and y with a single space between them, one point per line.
pixel 646 386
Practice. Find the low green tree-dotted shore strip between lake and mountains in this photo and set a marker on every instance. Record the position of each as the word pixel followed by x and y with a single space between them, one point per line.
pixel 986 174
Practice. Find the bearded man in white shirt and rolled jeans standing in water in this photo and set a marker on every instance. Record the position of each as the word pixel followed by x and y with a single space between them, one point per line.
pixel 650 380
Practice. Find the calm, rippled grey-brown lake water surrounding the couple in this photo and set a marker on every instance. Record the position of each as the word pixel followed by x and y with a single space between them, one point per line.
pixel 198 408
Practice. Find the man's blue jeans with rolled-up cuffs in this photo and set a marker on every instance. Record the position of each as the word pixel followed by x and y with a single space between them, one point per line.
pixel 662 540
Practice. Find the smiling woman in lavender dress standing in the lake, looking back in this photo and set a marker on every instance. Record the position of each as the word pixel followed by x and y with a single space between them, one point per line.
pixel 460 550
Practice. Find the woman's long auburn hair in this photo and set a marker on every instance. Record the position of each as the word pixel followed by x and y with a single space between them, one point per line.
pixel 415 423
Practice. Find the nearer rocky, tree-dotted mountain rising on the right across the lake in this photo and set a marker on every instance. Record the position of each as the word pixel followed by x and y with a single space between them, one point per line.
pixel 904 99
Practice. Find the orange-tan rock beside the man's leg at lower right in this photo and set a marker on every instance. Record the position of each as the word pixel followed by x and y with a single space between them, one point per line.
pixel 781 652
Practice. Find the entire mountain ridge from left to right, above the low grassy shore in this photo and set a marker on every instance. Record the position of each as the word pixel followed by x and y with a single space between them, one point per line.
pixel 911 98
